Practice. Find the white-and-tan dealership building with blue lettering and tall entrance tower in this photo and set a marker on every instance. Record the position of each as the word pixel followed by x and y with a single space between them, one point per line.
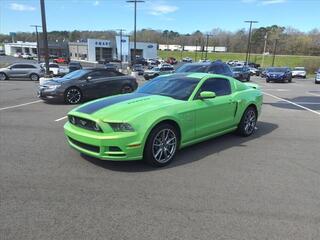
pixel 95 50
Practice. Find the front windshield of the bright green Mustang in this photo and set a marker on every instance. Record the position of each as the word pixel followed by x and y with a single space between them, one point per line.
pixel 176 87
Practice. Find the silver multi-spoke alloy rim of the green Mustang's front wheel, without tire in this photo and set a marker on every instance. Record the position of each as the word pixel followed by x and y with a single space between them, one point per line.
pixel 164 145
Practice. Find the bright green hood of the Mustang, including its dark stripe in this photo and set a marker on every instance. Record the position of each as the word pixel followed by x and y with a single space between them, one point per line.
pixel 123 107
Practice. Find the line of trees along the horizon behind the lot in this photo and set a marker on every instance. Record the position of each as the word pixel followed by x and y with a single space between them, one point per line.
pixel 290 41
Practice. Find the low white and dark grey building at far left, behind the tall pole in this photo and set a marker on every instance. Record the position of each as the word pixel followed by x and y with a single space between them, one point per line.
pixel 55 48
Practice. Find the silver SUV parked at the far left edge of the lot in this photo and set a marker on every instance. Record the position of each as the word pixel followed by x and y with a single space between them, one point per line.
pixel 22 70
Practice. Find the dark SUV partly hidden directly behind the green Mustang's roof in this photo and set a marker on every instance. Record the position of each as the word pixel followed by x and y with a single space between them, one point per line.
pixel 217 67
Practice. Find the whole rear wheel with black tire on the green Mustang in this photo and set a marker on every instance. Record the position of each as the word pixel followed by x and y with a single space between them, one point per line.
pixel 248 122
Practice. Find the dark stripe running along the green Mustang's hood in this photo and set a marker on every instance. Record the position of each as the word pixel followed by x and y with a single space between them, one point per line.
pixel 96 106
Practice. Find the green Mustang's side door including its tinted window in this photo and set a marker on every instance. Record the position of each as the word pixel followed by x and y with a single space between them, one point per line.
pixel 216 114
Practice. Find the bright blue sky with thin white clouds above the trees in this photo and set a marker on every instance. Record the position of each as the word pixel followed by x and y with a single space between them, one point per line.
pixel 184 16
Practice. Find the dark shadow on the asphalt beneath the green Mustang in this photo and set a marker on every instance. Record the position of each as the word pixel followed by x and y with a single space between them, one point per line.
pixel 189 154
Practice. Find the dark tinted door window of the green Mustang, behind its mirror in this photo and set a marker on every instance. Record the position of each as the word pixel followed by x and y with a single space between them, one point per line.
pixel 220 86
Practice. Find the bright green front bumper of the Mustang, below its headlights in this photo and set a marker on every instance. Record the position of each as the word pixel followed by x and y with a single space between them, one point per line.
pixel 114 146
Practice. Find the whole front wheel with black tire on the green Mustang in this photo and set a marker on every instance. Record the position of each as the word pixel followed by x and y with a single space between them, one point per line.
pixel 156 148
